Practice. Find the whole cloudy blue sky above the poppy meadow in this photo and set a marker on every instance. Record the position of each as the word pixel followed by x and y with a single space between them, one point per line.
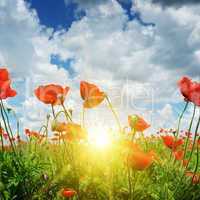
pixel 115 44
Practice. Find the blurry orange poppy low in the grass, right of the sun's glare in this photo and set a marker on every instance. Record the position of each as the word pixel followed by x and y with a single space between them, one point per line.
pixel 140 161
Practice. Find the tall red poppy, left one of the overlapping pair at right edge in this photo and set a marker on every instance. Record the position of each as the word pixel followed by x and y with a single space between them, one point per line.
pixel 185 84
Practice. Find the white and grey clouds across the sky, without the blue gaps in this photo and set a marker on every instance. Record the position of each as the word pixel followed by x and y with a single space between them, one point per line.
pixel 107 48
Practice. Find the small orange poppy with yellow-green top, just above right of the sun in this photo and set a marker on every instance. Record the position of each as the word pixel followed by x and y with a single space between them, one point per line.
pixel 137 123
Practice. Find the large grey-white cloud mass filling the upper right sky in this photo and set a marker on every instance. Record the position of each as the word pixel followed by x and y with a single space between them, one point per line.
pixel 107 46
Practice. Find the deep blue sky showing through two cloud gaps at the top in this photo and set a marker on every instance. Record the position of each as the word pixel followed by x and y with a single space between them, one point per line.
pixel 57 15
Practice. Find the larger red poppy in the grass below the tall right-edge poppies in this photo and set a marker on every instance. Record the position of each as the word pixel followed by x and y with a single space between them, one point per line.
pixel 171 142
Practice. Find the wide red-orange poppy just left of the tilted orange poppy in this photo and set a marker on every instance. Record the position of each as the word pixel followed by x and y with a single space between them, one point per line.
pixel 51 94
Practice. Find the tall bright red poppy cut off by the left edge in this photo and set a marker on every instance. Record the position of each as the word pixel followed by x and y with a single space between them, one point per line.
pixel 5 90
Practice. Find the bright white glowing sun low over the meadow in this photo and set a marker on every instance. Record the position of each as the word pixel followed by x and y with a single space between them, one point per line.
pixel 99 137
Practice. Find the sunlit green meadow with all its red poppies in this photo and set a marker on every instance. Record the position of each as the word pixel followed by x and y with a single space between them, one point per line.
pixel 61 161
